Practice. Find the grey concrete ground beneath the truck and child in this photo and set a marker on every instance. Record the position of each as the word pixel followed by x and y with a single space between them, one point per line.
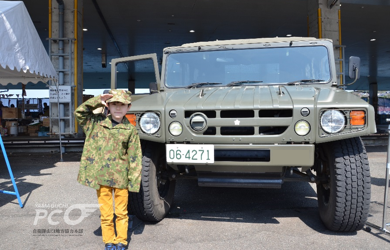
pixel 201 218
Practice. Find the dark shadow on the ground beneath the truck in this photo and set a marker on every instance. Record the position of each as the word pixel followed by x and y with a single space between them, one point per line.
pixel 243 205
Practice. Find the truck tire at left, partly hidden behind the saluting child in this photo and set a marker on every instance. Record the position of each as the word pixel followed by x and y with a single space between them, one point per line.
pixel 155 197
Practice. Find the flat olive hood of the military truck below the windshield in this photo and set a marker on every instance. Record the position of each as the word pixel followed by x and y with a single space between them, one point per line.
pixel 243 97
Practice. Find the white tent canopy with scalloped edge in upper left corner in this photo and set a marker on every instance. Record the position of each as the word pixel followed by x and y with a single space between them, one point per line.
pixel 23 58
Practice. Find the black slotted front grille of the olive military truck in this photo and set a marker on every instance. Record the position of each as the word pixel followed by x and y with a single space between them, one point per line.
pixel 271 119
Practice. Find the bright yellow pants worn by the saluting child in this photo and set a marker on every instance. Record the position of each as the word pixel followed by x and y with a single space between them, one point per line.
pixel 107 217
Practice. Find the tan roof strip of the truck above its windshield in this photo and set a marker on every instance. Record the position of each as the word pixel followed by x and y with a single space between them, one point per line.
pixel 249 41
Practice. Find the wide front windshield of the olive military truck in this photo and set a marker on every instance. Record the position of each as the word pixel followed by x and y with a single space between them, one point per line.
pixel 248 66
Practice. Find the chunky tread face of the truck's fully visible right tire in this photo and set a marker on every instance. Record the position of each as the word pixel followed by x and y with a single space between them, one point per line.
pixel 352 186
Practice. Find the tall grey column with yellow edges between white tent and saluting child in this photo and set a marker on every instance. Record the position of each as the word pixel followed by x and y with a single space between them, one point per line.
pixel 65 21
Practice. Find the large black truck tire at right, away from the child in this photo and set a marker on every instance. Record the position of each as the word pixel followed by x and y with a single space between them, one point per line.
pixel 344 190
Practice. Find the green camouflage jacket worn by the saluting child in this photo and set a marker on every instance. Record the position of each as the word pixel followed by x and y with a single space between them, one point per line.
pixel 111 155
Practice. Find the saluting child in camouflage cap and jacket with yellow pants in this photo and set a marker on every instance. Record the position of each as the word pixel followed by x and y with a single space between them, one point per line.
pixel 111 161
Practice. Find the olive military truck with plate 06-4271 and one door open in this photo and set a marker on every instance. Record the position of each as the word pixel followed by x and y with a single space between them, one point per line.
pixel 253 113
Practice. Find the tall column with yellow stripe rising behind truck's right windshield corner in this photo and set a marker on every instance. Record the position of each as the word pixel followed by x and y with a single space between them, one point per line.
pixel 324 22
